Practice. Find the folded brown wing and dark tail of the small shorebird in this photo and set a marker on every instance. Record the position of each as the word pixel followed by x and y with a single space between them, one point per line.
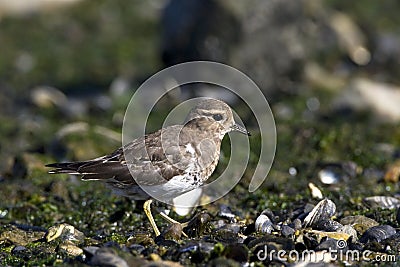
pixel 150 161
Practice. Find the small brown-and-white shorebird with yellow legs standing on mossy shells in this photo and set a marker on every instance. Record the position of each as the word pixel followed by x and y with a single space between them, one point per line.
pixel 172 161
